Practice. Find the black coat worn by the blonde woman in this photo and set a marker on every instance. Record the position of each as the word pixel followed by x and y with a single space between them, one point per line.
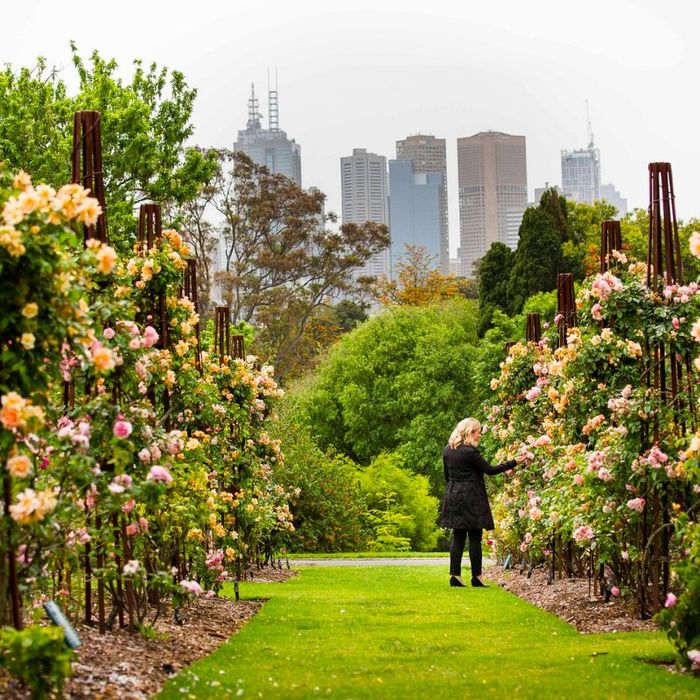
pixel 465 504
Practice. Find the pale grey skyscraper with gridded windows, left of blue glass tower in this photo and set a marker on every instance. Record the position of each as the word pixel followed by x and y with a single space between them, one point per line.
pixel 364 195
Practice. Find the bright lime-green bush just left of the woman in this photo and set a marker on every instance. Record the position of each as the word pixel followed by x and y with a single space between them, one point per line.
pixel 401 511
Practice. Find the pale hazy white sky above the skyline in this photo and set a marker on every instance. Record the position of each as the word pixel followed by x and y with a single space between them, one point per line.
pixel 363 74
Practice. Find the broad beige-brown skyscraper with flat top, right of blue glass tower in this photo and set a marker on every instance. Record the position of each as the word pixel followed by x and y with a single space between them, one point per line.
pixel 492 173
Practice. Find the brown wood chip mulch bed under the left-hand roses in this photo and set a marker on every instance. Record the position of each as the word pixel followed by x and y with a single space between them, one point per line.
pixel 133 667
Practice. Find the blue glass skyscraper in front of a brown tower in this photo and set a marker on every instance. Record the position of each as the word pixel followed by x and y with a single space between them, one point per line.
pixel 415 211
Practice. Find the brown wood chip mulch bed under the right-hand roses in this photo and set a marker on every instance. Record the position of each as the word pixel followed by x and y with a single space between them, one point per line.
pixel 569 599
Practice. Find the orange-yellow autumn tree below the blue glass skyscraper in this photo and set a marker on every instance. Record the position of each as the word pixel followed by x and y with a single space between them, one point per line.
pixel 419 282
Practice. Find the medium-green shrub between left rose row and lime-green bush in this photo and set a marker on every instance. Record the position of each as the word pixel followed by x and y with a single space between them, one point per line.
pixel 326 503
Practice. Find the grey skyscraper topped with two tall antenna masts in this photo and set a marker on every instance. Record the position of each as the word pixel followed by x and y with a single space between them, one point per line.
pixel 269 147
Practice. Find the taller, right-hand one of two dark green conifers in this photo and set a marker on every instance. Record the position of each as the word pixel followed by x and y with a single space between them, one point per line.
pixel 538 258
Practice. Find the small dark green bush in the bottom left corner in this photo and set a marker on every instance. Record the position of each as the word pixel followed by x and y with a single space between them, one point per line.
pixel 37 656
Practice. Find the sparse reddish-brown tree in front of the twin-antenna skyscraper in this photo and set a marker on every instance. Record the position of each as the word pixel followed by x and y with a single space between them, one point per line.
pixel 280 263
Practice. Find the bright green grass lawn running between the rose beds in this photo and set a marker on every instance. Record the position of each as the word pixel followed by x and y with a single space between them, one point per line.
pixel 401 632
